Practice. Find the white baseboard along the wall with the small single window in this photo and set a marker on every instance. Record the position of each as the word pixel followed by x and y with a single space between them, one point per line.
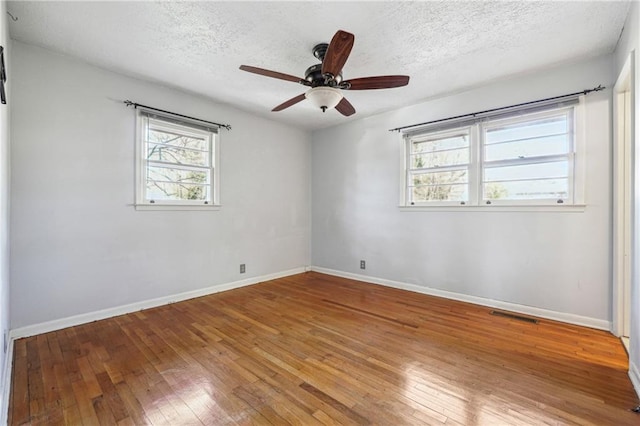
pixel 45 327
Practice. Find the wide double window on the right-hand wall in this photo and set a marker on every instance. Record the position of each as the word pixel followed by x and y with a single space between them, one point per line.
pixel 528 159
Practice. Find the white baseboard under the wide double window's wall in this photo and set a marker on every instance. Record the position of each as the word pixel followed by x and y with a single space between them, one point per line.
pixel 514 307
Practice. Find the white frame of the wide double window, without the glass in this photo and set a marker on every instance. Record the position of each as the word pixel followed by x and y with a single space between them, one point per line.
pixel 477 129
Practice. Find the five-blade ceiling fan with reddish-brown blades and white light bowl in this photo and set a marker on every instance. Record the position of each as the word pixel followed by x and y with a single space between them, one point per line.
pixel 325 79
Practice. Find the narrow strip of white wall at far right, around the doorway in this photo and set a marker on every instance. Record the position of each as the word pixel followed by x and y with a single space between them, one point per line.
pixel 629 42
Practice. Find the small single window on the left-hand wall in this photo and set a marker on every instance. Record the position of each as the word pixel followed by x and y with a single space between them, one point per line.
pixel 177 163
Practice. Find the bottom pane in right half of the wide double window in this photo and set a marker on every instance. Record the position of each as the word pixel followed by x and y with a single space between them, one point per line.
pixel 527 189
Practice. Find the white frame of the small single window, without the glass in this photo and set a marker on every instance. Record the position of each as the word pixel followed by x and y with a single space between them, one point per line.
pixel 180 126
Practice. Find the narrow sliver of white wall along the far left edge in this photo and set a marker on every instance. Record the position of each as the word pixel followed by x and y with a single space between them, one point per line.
pixel 4 200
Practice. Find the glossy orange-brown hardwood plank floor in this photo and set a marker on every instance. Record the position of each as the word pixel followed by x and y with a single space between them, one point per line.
pixel 315 349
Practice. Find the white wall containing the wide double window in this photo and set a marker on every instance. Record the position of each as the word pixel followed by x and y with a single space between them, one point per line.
pixel 554 261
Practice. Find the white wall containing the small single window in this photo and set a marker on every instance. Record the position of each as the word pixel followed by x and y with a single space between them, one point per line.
pixel 78 246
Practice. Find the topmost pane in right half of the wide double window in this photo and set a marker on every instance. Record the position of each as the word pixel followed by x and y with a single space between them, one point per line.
pixel 528 130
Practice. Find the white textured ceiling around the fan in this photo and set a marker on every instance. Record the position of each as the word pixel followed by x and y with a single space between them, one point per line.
pixel 198 46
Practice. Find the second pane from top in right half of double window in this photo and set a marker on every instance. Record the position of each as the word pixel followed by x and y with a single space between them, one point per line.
pixel 548 145
